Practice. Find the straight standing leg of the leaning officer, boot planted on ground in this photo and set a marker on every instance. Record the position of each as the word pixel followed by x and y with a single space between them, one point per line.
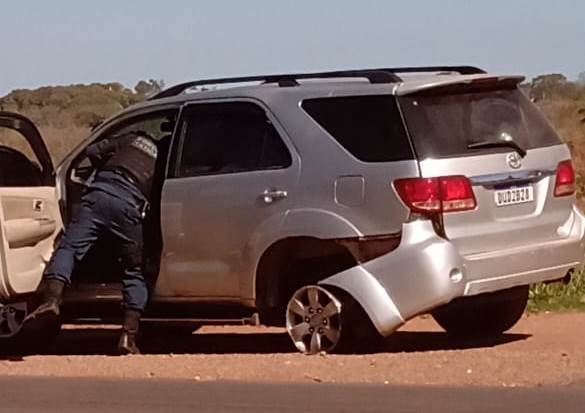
pixel 127 227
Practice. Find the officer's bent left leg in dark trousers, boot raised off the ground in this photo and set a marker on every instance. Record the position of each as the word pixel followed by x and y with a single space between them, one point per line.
pixel 79 236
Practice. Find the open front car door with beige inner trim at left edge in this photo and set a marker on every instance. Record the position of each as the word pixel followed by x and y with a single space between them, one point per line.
pixel 29 211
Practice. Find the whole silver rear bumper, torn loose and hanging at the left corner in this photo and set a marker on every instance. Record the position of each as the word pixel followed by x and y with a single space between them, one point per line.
pixel 426 271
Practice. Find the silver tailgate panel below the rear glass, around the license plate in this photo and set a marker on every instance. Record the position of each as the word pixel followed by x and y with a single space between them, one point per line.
pixel 490 227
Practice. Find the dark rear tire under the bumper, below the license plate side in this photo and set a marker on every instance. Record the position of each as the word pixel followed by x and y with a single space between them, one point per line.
pixel 483 316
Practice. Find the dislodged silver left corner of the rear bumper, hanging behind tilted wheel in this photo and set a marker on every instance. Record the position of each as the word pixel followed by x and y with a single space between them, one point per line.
pixel 423 272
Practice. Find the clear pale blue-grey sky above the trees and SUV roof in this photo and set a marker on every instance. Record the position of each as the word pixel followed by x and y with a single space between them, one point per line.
pixel 68 41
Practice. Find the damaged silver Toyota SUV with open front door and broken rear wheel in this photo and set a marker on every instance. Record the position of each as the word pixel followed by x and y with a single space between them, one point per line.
pixel 337 204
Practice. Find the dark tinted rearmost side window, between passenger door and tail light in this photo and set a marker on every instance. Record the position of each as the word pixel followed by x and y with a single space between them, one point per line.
pixel 369 127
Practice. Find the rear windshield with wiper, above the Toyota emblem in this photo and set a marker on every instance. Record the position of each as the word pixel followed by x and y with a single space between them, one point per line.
pixel 446 124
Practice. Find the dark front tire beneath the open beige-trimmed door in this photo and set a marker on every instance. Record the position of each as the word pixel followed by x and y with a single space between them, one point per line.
pixel 34 337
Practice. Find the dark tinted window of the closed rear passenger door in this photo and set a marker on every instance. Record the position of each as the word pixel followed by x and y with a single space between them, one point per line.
pixel 232 137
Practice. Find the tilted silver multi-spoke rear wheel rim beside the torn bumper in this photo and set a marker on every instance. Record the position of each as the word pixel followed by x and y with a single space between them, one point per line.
pixel 313 319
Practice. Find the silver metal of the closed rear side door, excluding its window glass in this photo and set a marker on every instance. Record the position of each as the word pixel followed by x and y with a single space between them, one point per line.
pixel 211 224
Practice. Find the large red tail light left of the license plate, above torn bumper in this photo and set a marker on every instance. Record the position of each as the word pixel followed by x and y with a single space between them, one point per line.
pixel 442 194
